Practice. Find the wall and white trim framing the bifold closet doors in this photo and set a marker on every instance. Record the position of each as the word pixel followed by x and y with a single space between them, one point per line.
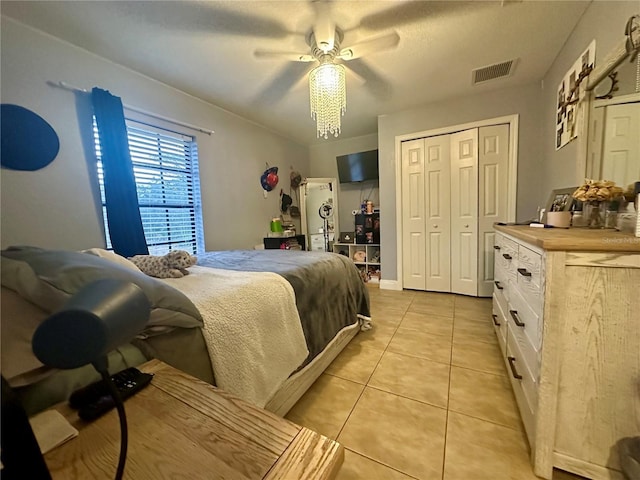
pixel 524 101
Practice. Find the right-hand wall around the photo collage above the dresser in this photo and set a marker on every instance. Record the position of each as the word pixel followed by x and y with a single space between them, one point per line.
pixel 604 22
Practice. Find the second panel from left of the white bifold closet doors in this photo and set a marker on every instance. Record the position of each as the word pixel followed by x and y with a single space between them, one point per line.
pixel 438 212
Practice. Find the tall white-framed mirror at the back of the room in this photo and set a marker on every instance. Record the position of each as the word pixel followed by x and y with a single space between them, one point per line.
pixel 319 208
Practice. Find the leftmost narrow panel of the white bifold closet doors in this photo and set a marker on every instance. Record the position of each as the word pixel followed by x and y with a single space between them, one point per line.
pixel 413 215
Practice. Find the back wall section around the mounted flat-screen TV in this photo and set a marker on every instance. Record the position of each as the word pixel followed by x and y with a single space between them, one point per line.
pixel 350 195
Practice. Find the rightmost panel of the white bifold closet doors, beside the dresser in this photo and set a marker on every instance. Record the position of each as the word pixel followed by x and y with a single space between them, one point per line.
pixel 493 163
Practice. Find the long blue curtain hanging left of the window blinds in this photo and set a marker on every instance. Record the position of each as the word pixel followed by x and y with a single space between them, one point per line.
pixel 123 214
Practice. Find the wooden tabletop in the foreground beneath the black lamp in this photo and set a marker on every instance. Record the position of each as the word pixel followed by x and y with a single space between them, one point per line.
pixel 181 427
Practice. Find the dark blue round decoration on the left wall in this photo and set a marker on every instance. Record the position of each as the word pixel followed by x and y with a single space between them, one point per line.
pixel 28 141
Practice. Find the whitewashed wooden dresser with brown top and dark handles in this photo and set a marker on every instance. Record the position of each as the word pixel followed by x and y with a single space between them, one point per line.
pixel 566 310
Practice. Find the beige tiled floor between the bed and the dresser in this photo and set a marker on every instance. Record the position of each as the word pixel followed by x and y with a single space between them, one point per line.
pixel 423 395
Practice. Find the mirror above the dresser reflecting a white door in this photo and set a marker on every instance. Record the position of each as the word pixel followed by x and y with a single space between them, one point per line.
pixel 613 150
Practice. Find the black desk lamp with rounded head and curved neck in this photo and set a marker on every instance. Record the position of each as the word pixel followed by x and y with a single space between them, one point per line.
pixel 100 317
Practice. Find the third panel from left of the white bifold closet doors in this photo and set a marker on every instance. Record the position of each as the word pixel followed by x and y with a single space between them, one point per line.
pixel 464 212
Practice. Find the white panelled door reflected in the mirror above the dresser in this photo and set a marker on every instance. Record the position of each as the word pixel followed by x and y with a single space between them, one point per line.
pixel 621 144
